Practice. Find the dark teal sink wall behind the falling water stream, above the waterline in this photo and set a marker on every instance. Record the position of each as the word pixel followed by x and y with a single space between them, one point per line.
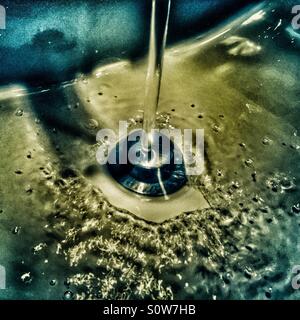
pixel 51 41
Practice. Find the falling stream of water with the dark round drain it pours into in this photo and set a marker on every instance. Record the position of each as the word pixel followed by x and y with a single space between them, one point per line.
pixel 156 170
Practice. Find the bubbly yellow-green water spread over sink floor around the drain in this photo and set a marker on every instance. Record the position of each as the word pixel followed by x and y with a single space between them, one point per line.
pixel 66 241
